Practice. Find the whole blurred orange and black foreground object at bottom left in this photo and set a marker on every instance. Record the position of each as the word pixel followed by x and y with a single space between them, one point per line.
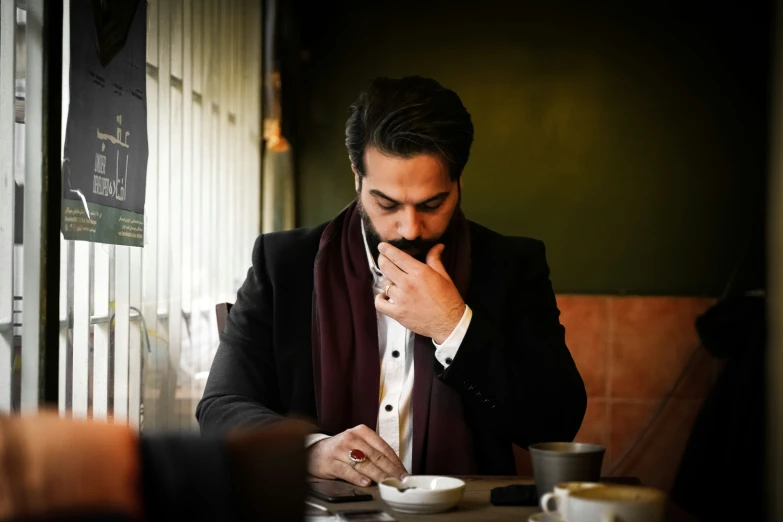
pixel 62 469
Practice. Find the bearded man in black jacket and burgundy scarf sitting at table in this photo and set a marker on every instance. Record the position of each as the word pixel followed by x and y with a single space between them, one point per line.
pixel 419 341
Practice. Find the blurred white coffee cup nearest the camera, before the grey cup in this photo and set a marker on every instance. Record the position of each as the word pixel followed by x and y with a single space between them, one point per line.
pixel 615 503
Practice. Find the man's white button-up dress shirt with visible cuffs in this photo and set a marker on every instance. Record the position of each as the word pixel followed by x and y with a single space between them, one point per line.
pixel 395 342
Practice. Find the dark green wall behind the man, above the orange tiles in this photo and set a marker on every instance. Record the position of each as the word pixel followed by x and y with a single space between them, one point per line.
pixel 633 145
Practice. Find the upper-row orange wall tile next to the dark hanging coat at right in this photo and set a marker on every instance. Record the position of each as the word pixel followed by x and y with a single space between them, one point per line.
pixel 652 338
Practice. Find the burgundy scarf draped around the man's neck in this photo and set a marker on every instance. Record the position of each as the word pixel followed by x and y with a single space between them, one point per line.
pixel 346 359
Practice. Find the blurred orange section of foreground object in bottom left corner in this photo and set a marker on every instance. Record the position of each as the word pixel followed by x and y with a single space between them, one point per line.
pixel 51 466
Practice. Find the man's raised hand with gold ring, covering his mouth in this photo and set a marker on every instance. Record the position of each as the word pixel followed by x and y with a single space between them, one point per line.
pixel 422 297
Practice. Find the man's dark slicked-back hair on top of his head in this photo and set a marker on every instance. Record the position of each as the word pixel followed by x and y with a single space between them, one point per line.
pixel 406 117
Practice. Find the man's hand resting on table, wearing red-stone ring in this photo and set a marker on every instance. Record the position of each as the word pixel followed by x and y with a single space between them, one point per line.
pixel 329 458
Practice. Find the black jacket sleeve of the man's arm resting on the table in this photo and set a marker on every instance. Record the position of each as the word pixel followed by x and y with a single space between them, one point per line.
pixel 242 386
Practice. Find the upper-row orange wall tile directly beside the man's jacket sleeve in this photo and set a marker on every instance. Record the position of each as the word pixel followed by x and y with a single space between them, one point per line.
pixel 586 322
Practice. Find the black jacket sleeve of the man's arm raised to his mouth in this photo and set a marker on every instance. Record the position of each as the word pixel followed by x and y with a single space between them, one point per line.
pixel 519 376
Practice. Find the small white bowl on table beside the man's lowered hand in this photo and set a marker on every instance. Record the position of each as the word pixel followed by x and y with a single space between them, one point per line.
pixel 431 494
